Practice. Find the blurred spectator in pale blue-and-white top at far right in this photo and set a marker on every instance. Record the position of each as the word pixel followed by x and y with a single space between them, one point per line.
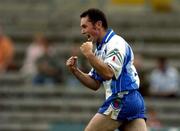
pixel 164 79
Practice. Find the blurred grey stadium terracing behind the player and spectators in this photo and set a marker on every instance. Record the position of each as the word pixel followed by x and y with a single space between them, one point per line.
pixel 152 27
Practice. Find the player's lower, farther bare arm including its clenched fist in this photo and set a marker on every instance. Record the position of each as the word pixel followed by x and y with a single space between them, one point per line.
pixel 84 78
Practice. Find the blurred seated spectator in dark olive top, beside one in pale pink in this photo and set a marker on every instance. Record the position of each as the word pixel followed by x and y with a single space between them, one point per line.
pixel 49 70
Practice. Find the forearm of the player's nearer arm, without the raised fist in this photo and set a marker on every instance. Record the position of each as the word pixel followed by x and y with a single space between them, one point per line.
pixel 102 68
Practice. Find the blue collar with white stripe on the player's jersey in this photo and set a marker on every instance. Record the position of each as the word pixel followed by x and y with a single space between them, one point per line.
pixel 110 33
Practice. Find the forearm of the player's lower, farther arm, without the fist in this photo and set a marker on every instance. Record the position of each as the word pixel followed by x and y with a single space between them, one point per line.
pixel 85 79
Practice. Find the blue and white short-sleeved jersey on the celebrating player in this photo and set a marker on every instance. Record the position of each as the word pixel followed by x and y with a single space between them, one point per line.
pixel 116 52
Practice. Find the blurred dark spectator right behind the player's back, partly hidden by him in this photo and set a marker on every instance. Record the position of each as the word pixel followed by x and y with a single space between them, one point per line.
pixel 138 63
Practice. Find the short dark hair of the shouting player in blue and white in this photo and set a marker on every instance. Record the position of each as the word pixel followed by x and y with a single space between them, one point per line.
pixel 95 15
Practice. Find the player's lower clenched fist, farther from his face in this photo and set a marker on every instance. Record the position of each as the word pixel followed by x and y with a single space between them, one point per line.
pixel 71 63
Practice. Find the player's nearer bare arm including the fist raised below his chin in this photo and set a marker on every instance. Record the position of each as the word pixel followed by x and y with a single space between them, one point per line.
pixel 102 68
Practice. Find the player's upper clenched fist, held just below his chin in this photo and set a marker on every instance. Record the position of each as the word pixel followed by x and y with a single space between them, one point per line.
pixel 86 48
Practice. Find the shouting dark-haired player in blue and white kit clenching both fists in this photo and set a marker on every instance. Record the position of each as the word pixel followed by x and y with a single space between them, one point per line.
pixel 112 67
